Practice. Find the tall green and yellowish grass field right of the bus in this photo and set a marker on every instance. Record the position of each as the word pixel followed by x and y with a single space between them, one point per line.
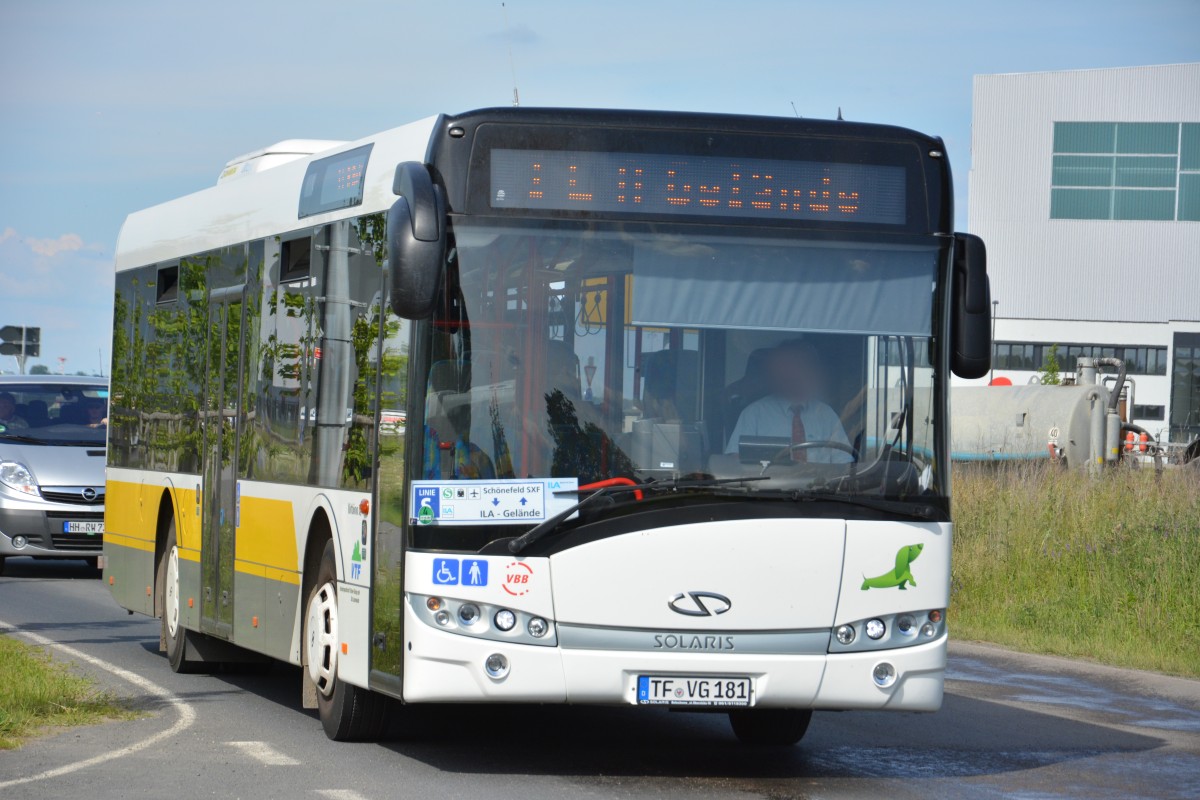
pixel 1054 562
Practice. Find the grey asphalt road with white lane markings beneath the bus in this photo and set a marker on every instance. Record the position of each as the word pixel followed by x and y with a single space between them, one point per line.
pixel 1012 727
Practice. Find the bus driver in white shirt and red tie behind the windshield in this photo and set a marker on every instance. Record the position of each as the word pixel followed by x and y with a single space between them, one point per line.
pixel 793 410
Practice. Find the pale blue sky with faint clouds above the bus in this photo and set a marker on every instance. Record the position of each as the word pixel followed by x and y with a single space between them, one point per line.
pixel 112 106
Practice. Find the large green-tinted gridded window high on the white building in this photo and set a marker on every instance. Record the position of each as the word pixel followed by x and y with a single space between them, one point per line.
pixel 1126 171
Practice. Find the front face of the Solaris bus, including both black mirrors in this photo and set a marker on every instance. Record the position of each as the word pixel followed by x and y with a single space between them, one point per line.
pixel 682 384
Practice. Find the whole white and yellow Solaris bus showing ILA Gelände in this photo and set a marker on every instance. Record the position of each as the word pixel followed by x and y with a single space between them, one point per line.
pixel 553 407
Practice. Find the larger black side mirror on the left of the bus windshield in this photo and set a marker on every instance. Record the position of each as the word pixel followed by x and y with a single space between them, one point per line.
pixel 417 240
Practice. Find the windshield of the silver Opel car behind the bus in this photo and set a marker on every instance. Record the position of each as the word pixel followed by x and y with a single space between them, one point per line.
pixel 53 413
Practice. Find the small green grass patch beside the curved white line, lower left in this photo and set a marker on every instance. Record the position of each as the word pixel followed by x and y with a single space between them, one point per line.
pixel 39 694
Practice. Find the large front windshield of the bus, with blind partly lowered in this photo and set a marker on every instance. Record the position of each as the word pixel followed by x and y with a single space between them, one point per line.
pixel 609 351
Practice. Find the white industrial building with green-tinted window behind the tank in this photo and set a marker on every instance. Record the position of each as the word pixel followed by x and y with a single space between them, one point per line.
pixel 1085 187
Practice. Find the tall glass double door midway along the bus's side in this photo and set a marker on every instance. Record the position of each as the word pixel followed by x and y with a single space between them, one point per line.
pixel 221 412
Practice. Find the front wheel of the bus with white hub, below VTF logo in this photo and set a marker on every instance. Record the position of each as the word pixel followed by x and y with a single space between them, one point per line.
pixel 347 713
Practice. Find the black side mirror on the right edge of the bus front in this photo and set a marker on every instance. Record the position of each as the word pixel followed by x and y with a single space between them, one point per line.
pixel 970 309
